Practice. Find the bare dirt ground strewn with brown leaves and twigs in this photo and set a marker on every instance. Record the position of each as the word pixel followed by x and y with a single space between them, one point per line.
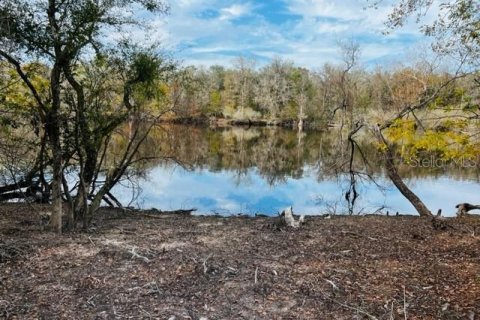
pixel 146 265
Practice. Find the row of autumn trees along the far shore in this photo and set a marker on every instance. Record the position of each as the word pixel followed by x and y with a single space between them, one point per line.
pixel 282 91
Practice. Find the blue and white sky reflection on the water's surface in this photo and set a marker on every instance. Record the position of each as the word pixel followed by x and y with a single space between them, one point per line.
pixel 222 192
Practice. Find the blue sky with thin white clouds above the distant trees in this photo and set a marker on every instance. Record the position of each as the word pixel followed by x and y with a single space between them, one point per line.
pixel 307 32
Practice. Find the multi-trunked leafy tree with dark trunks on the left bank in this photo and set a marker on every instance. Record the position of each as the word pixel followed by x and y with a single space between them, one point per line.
pixel 62 33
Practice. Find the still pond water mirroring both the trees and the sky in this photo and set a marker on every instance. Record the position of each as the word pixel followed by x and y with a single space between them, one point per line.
pixel 263 170
